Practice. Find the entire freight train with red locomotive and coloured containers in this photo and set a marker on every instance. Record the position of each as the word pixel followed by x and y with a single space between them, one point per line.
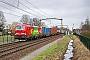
pixel 26 32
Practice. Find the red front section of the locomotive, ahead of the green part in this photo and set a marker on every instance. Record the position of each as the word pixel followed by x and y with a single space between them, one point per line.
pixel 23 31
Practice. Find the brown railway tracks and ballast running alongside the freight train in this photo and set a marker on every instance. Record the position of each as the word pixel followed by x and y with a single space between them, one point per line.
pixel 10 50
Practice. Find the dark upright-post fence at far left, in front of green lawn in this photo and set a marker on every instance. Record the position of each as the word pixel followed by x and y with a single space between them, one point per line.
pixel 6 39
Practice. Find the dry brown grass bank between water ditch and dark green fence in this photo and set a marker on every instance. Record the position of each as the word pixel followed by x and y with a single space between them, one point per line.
pixel 80 51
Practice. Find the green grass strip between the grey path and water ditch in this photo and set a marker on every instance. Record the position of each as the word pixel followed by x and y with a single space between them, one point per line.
pixel 54 49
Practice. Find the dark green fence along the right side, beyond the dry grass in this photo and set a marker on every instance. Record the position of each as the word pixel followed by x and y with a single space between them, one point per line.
pixel 84 40
